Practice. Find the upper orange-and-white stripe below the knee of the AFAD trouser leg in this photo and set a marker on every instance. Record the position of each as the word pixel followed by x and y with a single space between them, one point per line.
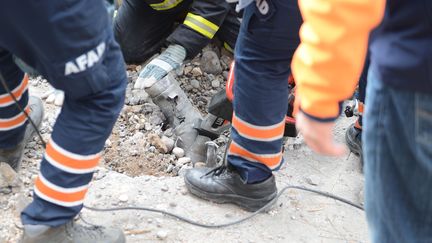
pixel 70 162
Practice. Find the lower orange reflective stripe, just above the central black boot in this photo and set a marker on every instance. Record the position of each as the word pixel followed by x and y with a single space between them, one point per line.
pixel 271 160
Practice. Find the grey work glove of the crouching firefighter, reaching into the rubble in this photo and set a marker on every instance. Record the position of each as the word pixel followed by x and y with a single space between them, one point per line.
pixel 159 67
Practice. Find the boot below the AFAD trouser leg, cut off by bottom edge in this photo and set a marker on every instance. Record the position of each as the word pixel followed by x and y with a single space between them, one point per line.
pixel 71 233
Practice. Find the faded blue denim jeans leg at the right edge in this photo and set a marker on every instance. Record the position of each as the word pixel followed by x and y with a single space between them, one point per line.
pixel 398 163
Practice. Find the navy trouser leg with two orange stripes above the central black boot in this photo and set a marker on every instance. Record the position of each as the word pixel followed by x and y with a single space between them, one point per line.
pixel 268 37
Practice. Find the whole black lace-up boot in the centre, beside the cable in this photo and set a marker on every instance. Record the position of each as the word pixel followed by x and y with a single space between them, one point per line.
pixel 224 185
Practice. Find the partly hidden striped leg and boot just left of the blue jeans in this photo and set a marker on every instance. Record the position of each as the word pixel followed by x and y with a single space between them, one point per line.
pixel 354 132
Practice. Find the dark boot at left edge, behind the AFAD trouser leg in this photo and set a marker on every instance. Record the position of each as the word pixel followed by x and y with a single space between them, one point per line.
pixel 14 155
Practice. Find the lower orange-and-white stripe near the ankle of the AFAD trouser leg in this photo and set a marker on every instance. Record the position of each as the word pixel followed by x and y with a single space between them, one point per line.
pixel 58 196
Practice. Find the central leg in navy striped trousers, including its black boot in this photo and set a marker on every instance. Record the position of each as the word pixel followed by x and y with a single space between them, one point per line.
pixel 263 55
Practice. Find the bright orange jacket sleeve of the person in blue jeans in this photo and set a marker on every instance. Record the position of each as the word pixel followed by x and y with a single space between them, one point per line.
pixel 328 62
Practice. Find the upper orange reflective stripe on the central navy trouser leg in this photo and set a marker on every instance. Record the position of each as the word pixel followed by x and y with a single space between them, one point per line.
pixel 261 133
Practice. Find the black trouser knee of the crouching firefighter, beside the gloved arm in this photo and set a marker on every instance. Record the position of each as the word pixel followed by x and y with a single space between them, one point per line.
pixel 140 30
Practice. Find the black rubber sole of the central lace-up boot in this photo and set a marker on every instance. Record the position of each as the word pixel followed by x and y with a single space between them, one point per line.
pixel 249 204
